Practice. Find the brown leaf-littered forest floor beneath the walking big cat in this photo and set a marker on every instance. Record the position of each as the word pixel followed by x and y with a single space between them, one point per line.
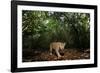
pixel 67 54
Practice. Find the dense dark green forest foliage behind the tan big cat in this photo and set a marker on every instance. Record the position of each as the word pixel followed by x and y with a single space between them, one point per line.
pixel 40 28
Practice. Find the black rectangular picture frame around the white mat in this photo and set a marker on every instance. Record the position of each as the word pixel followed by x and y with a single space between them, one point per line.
pixel 14 5
